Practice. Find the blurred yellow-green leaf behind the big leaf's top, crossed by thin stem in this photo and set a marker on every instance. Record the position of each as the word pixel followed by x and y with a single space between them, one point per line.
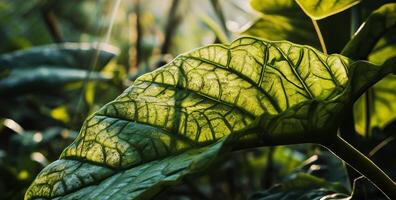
pixel 285 20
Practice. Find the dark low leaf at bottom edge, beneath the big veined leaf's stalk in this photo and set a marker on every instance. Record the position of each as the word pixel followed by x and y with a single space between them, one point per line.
pixel 304 187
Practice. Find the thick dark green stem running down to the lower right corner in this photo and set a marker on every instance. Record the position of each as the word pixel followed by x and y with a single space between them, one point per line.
pixel 363 165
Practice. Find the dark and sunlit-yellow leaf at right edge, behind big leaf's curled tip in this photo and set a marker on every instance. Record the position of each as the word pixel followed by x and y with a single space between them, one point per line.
pixel 376 41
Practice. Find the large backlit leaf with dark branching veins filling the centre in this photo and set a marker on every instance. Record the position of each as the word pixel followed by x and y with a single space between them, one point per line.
pixel 250 92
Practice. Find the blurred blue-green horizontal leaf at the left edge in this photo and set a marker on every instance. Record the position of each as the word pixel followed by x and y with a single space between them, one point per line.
pixel 51 66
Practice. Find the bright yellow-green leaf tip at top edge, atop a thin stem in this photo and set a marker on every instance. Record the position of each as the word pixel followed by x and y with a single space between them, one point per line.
pixel 319 9
